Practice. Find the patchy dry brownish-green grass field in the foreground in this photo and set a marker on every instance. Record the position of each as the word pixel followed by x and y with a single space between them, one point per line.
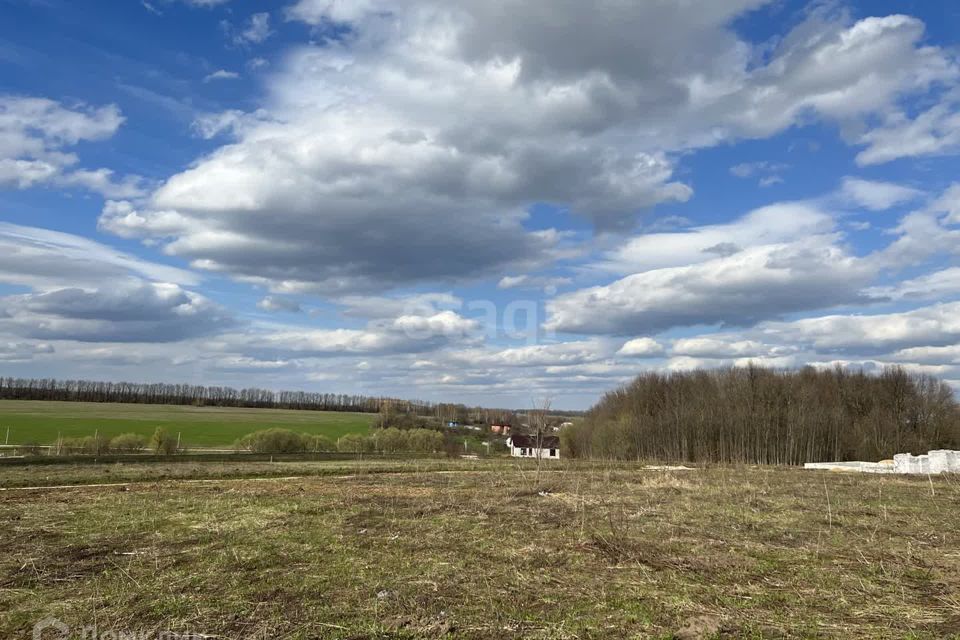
pixel 481 550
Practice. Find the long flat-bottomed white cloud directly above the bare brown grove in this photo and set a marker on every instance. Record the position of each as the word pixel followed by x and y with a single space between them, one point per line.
pixel 741 288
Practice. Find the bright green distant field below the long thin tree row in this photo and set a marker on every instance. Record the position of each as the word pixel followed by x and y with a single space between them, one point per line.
pixel 40 422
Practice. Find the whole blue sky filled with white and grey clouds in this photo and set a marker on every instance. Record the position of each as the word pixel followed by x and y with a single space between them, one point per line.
pixel 488 202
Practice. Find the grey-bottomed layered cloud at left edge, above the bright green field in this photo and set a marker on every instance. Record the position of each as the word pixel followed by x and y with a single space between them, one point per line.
pixel 83 290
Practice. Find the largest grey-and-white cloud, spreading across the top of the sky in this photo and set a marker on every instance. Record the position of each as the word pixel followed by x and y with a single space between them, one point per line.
pixel 422 136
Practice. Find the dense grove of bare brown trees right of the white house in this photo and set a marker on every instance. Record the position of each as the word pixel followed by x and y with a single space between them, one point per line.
pixel 766 416
